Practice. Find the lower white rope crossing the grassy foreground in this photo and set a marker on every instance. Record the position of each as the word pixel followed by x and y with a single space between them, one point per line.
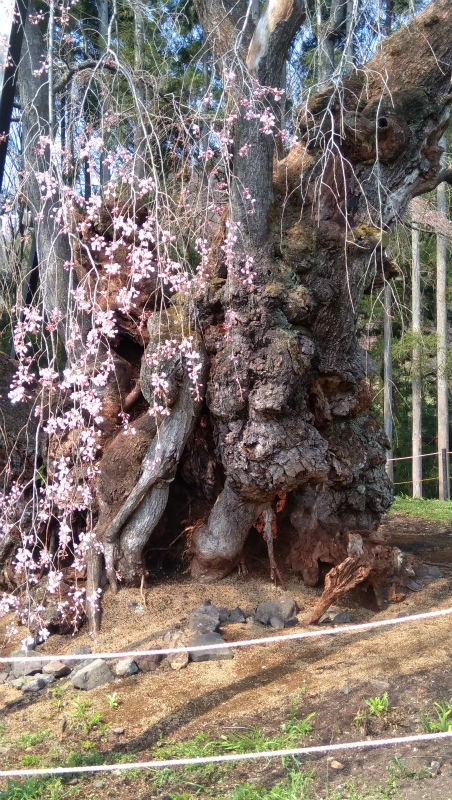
pixel 185 762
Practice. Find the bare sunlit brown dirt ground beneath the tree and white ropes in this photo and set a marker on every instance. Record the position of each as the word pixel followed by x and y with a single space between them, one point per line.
pixel 411 662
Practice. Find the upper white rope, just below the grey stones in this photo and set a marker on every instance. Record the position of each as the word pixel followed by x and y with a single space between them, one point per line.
pixel 243 643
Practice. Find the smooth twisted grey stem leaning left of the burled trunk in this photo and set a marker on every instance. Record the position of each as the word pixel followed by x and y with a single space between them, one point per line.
pixel 125 534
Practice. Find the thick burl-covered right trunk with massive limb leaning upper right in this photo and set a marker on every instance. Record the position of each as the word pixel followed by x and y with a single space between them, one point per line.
pixel 291 410
